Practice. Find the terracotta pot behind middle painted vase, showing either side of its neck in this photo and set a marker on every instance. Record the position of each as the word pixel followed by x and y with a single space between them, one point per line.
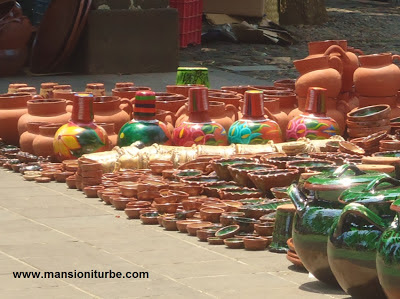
pixel 220 113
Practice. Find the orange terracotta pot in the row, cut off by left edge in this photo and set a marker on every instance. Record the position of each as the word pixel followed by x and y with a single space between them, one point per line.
pixel 12 107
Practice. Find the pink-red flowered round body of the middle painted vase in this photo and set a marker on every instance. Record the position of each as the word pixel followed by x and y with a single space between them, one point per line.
pixel 189 134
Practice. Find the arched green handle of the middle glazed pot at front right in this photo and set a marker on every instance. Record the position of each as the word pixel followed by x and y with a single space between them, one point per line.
pixel 360 211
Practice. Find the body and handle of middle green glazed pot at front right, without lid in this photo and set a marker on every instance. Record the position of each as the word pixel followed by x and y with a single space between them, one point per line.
pixel 352 247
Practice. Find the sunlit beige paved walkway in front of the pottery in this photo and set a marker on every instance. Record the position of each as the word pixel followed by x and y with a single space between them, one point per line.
pixel 47 227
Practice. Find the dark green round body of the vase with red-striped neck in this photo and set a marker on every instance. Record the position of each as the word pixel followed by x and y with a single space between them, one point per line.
pixel 148 132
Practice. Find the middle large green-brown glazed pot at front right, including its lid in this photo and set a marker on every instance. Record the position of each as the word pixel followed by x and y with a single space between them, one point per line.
pixel 352 242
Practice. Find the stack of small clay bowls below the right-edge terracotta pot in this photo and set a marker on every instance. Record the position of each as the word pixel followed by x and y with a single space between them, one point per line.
pixel 365 121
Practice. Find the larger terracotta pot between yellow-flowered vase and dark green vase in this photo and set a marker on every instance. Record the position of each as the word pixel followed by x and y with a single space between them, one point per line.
pixel 112 109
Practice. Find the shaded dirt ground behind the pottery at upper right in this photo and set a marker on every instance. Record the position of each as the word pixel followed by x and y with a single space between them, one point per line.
pixel 371 26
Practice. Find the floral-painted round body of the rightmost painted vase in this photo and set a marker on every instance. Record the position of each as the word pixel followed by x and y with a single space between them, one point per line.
pixel 310 127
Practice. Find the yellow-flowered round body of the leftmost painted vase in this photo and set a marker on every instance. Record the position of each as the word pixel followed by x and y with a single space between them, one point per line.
pixel 72 141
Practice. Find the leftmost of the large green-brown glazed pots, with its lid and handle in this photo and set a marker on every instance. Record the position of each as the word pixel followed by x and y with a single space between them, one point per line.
pixel 315 215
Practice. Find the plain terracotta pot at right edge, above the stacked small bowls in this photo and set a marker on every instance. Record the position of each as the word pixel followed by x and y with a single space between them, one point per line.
pixel 377 76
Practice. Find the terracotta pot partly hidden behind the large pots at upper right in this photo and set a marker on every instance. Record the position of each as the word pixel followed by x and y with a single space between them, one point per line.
pixel 337 47
